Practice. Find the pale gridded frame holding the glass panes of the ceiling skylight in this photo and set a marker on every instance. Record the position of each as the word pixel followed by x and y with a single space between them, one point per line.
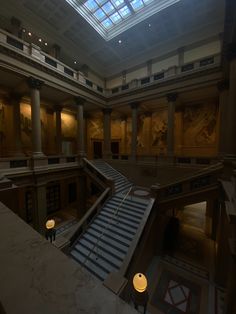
pixel 135 16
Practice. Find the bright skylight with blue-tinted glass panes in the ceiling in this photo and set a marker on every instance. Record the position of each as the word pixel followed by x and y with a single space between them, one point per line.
pixel 112 17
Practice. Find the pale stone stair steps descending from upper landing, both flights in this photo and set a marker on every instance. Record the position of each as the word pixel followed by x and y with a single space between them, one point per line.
pixel 103 247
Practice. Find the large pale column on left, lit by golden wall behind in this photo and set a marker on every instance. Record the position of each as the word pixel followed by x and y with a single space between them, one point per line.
pixel 35 86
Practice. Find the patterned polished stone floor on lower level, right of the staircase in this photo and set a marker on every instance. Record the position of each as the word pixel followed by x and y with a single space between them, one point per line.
pixel 182 282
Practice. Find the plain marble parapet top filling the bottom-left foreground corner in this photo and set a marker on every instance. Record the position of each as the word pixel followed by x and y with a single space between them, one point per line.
pixel 36 278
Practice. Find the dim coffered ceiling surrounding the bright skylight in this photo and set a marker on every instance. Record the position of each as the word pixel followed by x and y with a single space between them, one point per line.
pixel 179 25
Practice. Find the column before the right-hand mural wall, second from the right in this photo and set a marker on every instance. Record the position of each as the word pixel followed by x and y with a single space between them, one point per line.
pixel 171 98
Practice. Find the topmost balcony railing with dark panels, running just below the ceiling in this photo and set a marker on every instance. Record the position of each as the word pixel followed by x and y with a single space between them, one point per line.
pixel 34 52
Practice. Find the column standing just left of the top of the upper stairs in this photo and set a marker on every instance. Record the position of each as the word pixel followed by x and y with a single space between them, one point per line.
pixel 80 126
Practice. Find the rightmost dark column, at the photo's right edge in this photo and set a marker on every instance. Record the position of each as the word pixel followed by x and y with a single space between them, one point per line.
pixel 223 88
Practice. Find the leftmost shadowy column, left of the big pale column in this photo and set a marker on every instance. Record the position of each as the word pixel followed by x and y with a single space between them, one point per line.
pixel 15 101
